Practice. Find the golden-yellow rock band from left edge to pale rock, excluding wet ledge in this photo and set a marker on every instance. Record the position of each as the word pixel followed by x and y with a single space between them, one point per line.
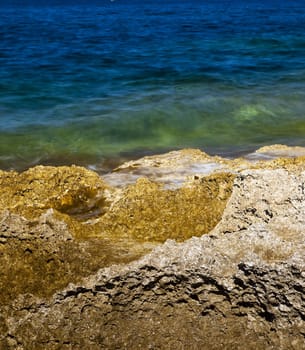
pixel 144 211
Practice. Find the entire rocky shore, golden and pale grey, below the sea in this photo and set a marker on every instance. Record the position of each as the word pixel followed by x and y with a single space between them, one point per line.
pixel 176 251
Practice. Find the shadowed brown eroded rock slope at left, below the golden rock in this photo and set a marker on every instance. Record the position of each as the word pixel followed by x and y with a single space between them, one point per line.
pixel 39 257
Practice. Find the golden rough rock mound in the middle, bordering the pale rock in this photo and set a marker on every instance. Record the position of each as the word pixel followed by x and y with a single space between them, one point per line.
pixel 148 212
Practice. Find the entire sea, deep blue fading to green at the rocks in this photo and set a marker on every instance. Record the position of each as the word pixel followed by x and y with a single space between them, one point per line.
pixel 92 83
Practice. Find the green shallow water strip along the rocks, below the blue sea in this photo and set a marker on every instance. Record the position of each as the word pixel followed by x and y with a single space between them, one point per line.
pixel 205 121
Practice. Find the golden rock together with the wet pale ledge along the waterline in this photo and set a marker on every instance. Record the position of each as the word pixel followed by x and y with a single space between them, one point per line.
pixel 176 195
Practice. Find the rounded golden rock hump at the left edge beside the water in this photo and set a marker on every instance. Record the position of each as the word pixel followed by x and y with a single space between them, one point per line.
pixel 69 190
